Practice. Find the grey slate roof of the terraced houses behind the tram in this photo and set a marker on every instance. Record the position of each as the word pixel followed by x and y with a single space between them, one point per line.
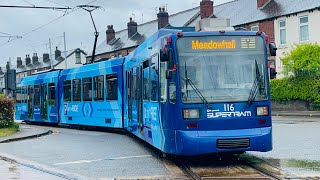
pixel 238 11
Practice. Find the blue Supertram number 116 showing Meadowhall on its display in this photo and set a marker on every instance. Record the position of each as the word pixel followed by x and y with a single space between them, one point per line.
pixel 185 93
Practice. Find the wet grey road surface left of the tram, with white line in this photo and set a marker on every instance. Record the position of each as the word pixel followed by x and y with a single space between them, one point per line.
pixel 90 154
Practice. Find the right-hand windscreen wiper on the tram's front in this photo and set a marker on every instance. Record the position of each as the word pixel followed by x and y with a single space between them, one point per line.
pixel 257 85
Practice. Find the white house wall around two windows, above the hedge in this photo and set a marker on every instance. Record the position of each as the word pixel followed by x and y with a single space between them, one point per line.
pixel 293 35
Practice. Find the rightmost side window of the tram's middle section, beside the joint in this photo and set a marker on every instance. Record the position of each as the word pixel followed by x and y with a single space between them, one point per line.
pixel 112 87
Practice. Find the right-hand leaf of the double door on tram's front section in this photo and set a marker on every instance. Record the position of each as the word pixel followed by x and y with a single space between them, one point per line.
pixel 139 98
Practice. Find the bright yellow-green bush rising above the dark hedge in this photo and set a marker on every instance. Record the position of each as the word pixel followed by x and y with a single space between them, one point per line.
pixel 303 59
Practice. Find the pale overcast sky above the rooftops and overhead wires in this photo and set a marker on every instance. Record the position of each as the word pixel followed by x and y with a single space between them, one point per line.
pixel 36 26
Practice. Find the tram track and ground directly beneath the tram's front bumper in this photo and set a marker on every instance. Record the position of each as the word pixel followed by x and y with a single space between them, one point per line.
pixel 226 168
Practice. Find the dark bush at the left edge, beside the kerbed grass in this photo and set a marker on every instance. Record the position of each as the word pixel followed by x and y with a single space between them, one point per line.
pixel 6 113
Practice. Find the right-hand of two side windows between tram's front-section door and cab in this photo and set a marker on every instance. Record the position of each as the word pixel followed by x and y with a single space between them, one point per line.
pixel 154 74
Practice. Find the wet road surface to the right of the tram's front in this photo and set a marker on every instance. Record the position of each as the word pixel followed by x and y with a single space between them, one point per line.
pixel 296 145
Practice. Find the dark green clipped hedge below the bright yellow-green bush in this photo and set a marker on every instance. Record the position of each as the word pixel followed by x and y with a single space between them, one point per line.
pixel 305 88
